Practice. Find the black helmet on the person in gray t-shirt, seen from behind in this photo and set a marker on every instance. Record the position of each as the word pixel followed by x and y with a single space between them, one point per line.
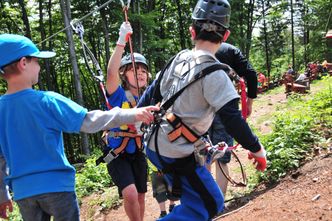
pixel 218 11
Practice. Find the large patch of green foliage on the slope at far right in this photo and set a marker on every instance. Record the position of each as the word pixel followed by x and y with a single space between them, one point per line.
pixel 304 124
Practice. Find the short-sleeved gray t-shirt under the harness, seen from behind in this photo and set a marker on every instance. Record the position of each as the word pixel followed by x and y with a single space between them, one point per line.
pixel 198 103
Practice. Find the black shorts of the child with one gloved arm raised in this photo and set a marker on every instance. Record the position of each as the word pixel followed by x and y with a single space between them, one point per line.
pixel 129 169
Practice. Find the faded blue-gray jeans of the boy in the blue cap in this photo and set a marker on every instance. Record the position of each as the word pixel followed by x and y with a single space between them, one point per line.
pixel 62 206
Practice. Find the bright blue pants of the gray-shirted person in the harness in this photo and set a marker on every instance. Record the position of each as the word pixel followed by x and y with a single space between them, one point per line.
pixel 192 206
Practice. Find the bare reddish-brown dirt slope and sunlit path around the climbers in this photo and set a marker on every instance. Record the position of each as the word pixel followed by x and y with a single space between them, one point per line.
pixel 304 195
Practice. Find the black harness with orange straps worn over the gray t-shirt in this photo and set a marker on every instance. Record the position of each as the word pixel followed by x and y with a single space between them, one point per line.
pixel 184 166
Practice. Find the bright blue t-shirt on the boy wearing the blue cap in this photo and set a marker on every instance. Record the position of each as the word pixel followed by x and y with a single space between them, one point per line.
pixel 31 126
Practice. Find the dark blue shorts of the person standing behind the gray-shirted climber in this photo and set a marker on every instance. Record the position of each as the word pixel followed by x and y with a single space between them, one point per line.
pixel 217 133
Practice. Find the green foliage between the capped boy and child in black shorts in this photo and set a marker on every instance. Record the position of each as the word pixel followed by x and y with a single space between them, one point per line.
pixel 92 178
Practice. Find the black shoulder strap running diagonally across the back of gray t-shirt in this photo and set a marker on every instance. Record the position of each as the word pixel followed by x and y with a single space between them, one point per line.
pixel 198 76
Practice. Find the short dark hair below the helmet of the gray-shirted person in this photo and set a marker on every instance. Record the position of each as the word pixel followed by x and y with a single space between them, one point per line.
pixel 208 31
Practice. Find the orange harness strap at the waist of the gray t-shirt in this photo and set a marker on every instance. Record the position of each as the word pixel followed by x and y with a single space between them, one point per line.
pixel 180 129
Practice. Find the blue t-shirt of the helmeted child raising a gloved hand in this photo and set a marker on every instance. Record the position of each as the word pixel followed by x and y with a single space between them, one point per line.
pixel 119 99
